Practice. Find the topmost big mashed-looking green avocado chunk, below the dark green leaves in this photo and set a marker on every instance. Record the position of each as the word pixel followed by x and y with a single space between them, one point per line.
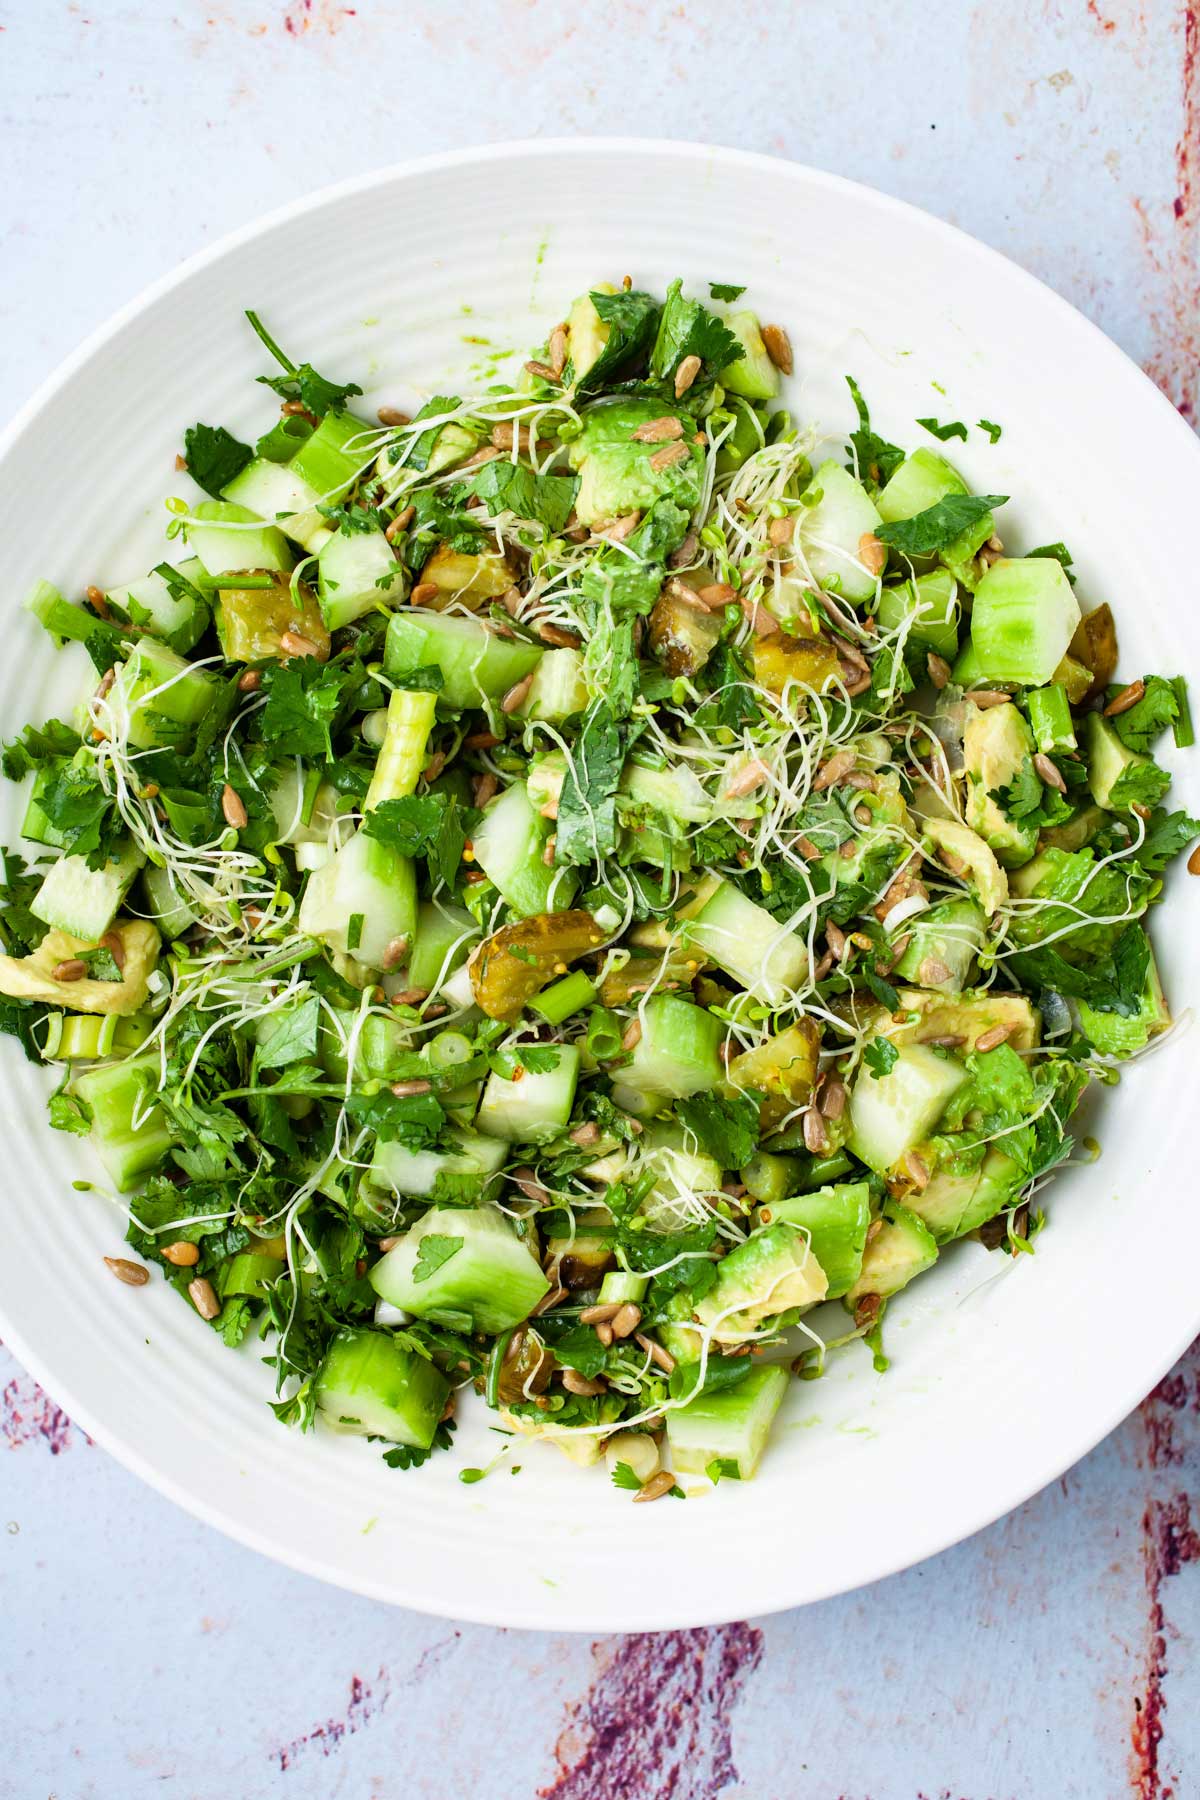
pixel 622 476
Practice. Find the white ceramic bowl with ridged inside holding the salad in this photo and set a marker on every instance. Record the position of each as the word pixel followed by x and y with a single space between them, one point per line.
pixel 1001 1374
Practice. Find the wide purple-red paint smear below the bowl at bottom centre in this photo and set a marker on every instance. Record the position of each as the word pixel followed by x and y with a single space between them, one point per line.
pixel 658 1720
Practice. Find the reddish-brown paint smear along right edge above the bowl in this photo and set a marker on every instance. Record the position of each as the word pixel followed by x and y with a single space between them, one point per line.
pixel 1178 363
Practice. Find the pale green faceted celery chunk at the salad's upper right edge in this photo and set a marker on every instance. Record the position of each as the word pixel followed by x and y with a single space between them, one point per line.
pixel 1025 618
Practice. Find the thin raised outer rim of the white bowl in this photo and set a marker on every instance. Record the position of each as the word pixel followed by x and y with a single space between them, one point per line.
pixel 1077 1443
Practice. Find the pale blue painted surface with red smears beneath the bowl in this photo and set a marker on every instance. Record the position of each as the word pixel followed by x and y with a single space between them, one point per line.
pixel 1057 1655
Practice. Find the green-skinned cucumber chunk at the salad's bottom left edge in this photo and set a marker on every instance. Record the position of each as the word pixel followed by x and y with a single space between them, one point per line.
pixel 370 1385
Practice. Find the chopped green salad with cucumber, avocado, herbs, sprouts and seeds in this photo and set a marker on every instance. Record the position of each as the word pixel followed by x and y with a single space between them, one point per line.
pixel 584 892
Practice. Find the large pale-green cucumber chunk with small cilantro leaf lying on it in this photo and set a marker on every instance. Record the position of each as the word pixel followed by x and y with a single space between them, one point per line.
pixel 476 1264
